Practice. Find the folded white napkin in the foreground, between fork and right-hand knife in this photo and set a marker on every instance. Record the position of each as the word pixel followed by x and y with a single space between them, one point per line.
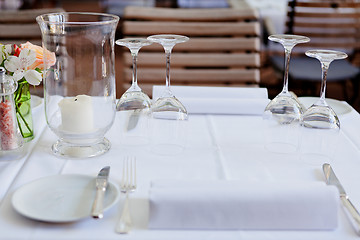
pixel 247 206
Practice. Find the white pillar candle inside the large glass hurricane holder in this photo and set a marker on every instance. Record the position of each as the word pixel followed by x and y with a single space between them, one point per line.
pixel 77 114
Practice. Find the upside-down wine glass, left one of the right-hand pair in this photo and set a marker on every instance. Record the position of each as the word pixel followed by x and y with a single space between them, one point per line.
pixel 283 113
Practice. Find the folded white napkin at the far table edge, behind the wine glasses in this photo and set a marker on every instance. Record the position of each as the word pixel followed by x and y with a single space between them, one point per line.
pixel 219 100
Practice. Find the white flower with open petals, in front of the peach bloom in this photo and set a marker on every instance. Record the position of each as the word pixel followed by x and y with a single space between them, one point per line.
pixel 19 67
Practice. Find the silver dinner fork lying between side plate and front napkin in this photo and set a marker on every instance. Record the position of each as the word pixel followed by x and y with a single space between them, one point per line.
pixel 128 183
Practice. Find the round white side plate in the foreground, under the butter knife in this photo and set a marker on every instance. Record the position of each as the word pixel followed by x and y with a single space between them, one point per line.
pixel 61 198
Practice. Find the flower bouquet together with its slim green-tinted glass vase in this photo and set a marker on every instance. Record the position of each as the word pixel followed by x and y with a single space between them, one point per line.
pixel 25 64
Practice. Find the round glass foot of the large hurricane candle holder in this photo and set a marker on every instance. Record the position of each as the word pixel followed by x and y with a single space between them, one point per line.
pixel 70 150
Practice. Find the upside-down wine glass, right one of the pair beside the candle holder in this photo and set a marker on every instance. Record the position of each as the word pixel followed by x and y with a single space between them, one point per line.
pixel 168 114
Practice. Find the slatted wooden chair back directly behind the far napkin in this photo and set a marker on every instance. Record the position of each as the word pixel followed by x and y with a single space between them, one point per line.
pixel 223 49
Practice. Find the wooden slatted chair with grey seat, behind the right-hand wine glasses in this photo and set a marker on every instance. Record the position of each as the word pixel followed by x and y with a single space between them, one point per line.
pixel 330 24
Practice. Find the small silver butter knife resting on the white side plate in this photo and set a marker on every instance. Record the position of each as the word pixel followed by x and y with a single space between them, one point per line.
pixel 101 183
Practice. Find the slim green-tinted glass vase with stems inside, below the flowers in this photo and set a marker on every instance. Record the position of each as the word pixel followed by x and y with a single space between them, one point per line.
pixel 22 99
